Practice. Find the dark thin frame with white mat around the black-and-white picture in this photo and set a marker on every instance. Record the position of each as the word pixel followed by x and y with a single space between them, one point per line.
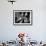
pixel 31 17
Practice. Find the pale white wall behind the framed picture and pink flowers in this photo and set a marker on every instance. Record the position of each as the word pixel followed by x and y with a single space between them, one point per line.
pixel 38 30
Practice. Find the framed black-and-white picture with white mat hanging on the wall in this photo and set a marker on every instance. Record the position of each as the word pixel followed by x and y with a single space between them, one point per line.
pixel 22 17
